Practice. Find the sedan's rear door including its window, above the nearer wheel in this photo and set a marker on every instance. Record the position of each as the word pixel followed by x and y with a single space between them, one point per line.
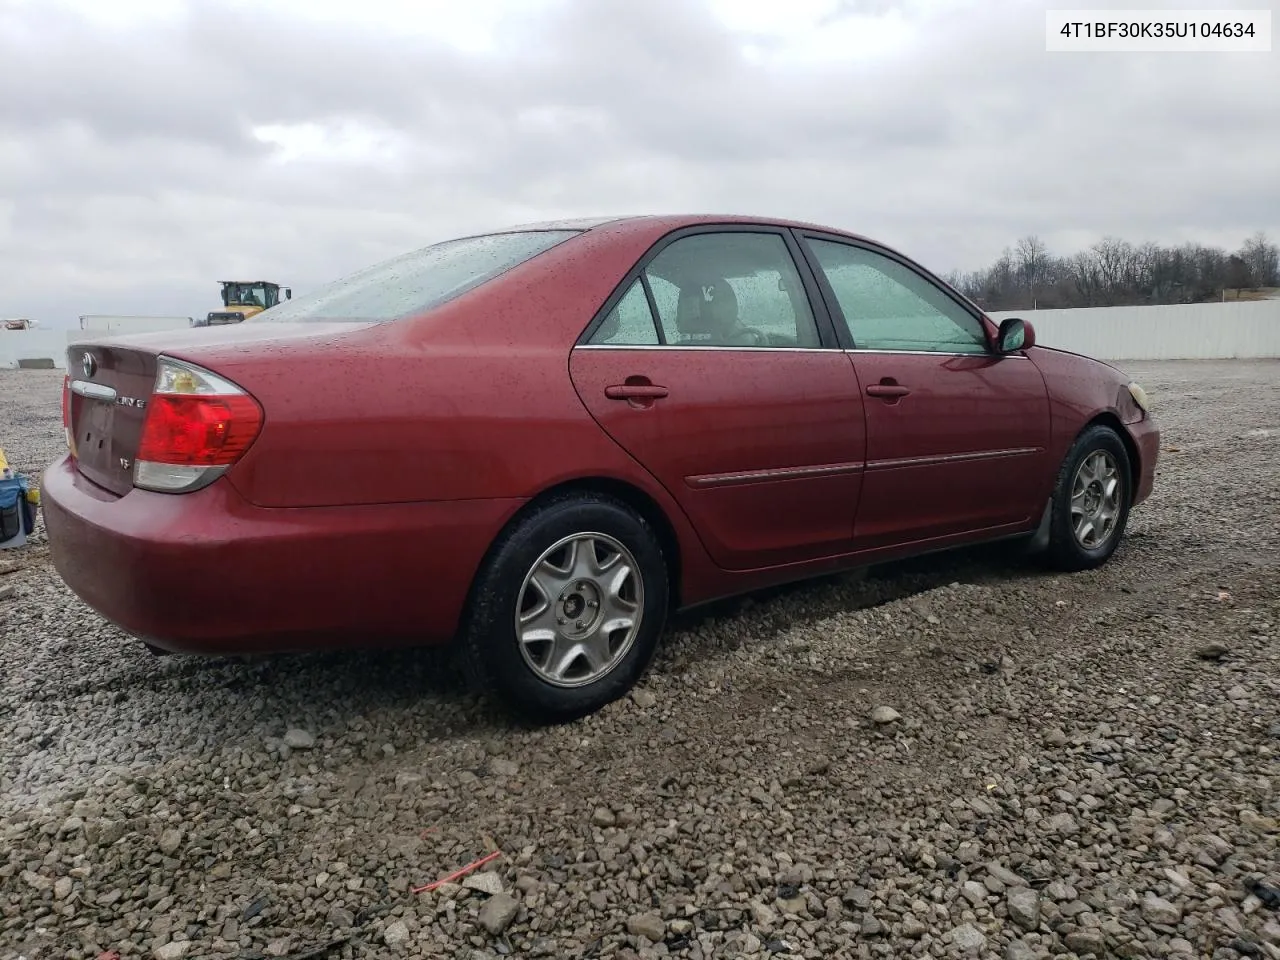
pixel 711 368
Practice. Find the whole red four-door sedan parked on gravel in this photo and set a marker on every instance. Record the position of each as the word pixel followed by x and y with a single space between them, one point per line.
pixel 541 441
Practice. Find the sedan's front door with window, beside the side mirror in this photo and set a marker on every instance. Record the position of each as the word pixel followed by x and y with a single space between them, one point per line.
pixel 957 435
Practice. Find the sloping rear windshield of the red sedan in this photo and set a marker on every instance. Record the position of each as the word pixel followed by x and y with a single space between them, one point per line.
pixel 415 282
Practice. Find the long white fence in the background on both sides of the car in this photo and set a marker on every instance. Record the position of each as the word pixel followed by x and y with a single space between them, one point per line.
pixel 1185 332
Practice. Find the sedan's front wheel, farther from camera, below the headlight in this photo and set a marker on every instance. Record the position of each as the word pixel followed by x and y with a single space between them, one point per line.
pixel 1091 501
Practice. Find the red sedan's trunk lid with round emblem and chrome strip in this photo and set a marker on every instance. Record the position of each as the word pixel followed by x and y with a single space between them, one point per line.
pixel 111 390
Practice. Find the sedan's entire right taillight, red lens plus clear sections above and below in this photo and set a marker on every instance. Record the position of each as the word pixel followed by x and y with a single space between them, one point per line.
pixel 198 424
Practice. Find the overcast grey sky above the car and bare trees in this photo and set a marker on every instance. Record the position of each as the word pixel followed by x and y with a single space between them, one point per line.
pixel 152 148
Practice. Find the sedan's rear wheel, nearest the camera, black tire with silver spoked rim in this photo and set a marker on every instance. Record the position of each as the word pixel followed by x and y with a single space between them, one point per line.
pixel 568 610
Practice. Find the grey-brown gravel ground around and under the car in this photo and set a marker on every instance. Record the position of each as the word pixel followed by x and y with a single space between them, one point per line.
pixel 1071 767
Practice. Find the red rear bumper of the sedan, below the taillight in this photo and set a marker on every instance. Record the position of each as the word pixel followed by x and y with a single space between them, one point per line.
pixel 211 573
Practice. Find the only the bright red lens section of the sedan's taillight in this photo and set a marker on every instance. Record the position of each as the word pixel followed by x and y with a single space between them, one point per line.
pixel 199 431
